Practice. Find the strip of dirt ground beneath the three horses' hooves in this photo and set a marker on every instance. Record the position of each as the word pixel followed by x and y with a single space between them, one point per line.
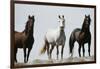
pixel 53 61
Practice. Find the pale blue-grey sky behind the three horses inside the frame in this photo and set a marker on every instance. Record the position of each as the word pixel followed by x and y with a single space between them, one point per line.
pixel 46 17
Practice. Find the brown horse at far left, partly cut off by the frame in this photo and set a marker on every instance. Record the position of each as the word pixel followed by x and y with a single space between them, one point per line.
pixel 25 39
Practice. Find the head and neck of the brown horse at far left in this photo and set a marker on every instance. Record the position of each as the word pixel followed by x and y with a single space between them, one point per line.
pixel 30 24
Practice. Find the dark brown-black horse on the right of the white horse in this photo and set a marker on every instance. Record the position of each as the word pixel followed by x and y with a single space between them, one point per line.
pixel 81 36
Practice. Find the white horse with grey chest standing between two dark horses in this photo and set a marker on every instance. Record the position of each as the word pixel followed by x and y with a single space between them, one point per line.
pixel 55 37
